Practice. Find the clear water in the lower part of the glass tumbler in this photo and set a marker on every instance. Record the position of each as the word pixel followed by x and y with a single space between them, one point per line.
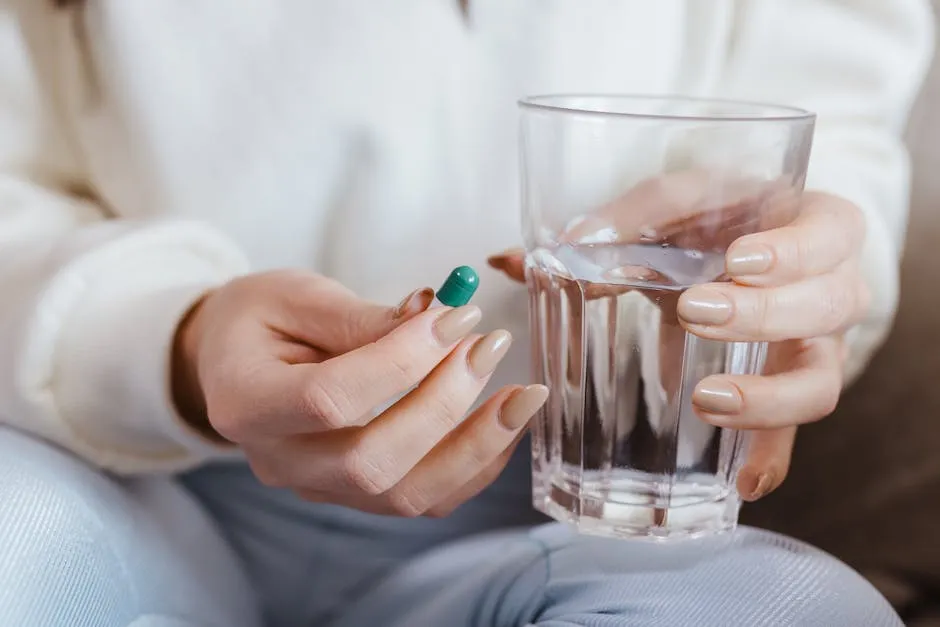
pixel 618 449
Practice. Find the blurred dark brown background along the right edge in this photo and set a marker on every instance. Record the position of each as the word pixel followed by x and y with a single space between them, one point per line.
pixel 865 484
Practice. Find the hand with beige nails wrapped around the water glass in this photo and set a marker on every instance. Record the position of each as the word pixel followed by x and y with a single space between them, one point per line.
pixel 799 287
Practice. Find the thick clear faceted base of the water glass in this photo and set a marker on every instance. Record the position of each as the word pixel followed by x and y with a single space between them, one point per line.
pixel 627 508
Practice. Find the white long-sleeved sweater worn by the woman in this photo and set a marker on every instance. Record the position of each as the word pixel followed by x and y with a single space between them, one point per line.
pixel 151 149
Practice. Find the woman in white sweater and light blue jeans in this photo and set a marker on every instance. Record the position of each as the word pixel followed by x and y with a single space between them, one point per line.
pixel 162 160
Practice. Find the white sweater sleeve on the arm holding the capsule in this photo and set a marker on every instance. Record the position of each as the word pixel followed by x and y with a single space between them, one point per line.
pixel 88 303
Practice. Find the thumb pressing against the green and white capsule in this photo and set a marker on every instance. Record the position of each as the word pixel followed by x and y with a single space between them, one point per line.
pixel 364 322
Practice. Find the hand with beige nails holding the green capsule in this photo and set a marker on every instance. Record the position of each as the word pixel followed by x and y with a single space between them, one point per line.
pixel 291 367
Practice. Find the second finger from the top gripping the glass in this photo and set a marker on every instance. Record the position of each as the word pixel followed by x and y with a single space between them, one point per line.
pixel 816 306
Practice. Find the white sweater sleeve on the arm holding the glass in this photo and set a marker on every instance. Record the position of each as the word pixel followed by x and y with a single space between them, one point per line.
pixel 859 65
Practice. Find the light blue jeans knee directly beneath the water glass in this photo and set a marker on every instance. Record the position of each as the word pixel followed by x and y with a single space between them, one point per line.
pixel 756 579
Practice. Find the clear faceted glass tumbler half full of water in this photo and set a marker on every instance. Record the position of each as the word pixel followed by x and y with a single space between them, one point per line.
pixel 627 202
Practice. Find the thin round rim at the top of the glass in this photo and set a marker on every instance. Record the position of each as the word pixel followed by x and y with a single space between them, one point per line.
pixel 762 111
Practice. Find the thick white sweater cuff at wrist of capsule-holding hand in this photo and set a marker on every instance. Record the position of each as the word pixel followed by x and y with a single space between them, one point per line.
pixel 117 315
